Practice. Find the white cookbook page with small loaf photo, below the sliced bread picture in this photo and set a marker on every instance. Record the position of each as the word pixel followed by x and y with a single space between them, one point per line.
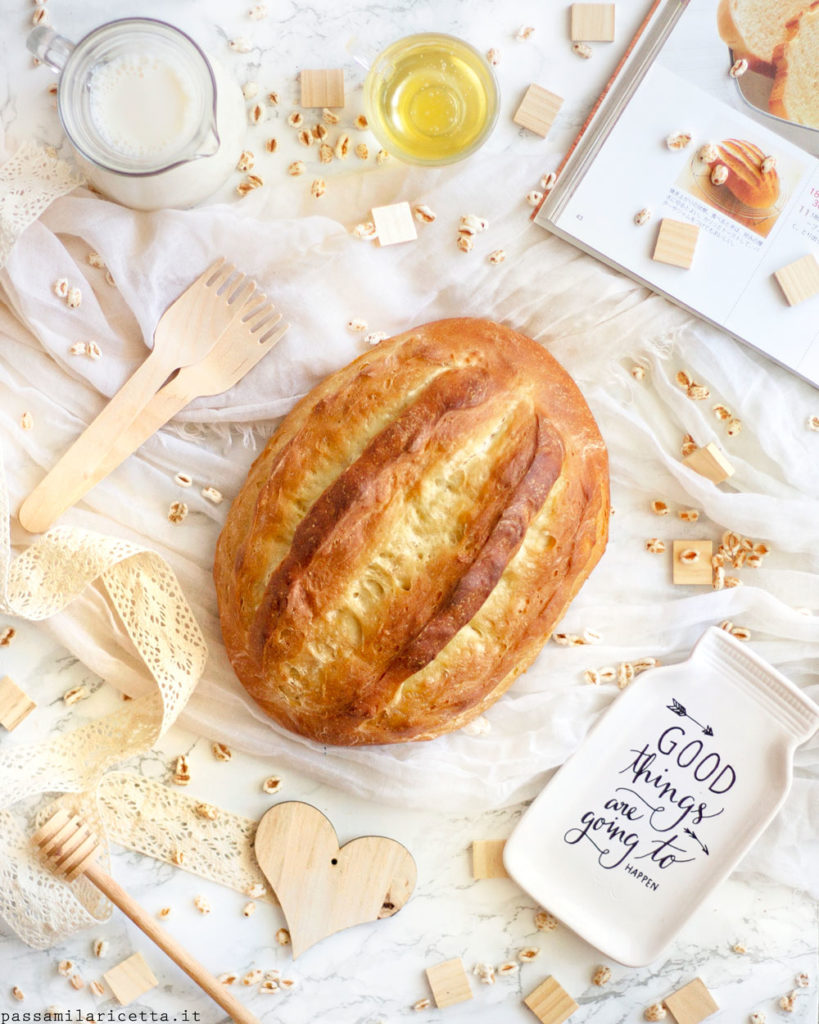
pixel 748 228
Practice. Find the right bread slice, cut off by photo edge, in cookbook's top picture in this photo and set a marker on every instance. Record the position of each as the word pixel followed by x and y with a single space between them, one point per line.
pixel 796 92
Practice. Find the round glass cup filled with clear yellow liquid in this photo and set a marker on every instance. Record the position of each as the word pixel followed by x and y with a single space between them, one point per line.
pixel 432 99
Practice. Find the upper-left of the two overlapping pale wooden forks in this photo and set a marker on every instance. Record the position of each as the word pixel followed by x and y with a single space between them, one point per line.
pixel 187 332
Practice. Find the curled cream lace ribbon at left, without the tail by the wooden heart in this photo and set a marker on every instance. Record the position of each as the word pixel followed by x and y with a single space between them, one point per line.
pixel 147 596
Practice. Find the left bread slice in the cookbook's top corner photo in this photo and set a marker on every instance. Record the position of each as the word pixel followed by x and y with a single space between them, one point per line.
pixel 755 28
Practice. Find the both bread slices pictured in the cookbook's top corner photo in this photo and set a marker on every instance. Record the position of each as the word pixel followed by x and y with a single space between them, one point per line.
pixel 780 39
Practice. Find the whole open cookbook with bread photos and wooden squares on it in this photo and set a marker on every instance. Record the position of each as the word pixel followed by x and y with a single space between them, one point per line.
pixel 706 141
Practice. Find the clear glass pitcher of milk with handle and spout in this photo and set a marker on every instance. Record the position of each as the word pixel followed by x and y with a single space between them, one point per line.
pixel 153 121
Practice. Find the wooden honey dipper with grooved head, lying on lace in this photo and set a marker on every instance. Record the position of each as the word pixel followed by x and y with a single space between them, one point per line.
pixel 71 849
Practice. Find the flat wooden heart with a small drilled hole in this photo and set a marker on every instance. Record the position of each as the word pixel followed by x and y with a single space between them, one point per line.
pixel 322 888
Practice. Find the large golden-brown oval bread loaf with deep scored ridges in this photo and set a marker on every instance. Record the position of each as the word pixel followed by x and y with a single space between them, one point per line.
pixel 410 536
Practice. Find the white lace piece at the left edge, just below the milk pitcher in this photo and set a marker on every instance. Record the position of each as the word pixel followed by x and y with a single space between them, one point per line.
pixel 30 182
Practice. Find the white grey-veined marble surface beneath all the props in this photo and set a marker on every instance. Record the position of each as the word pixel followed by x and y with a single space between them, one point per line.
pixel 373 973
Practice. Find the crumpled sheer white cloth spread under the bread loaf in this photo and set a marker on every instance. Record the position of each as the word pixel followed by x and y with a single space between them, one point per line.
pixel 597 323
